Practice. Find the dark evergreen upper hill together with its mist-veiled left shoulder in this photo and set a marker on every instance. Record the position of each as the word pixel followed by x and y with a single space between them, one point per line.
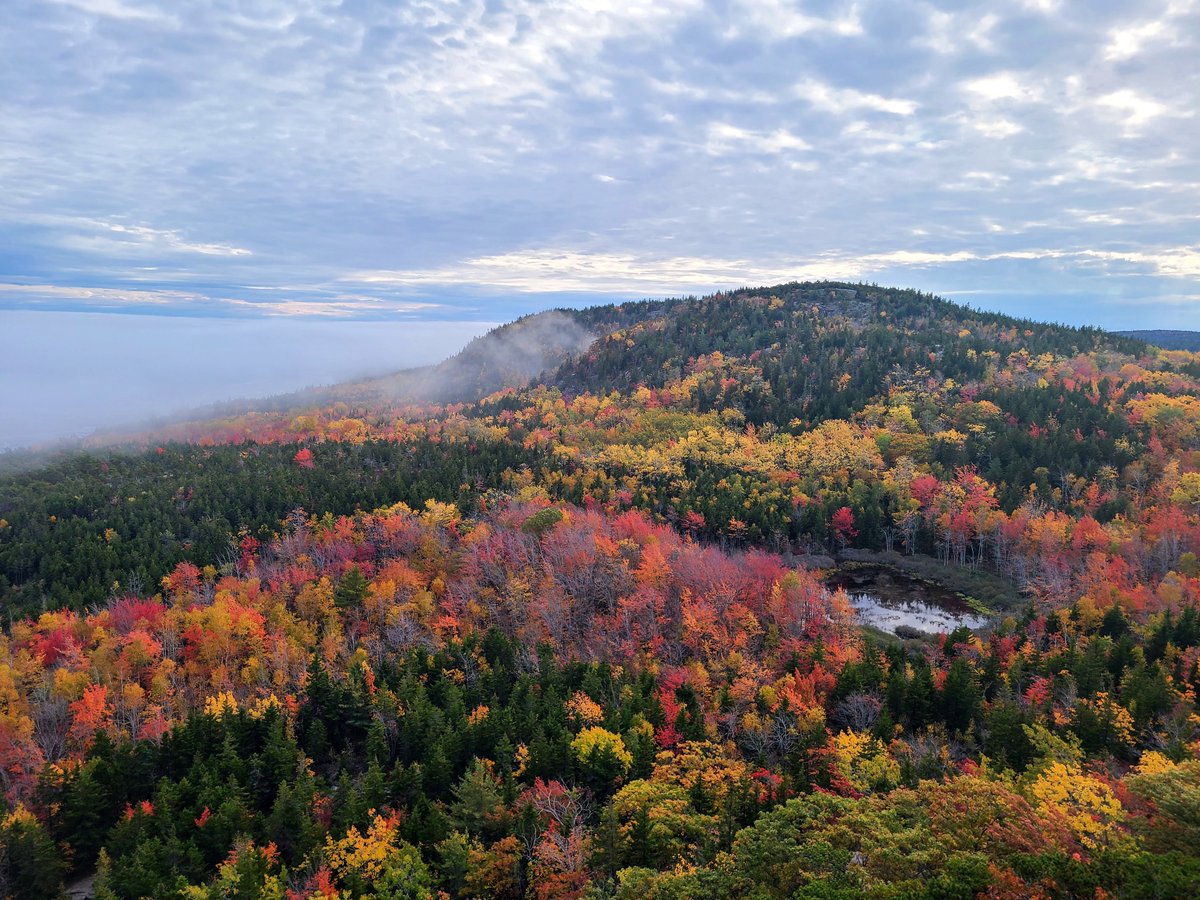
pixel 884 333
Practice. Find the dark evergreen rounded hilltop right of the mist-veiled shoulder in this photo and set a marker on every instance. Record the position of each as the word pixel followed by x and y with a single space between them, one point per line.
pixel 805 338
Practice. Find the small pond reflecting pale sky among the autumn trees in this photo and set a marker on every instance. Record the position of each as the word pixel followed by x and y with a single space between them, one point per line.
pixel 887 599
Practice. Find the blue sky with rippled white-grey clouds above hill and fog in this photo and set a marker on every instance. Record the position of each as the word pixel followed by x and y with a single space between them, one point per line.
pixel 448 161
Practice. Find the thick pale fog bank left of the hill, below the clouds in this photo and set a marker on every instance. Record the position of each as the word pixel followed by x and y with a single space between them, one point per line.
pixel 65 375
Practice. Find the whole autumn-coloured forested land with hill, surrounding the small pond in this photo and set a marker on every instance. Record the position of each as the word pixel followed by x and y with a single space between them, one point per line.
pixel 530 623
